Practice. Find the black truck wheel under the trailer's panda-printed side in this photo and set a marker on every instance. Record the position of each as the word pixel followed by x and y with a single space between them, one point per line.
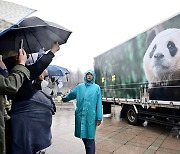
pixel 132 116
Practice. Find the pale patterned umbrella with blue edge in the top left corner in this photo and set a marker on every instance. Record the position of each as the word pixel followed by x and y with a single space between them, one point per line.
pixel 11 15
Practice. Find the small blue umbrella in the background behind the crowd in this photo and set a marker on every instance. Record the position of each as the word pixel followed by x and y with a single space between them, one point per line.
pixel 54 70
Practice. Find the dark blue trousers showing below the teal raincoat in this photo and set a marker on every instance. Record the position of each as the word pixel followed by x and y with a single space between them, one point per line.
pixel 89 145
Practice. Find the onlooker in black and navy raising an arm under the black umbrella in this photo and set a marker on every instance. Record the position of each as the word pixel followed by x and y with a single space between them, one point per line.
pixel 31 111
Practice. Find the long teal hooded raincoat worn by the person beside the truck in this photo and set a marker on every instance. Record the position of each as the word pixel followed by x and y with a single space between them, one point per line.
pixel 89 107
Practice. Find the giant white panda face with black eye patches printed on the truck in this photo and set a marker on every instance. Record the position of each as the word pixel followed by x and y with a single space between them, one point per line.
pixel 161 61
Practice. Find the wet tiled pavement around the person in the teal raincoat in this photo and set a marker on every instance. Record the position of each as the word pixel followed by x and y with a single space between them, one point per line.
pixel 113 136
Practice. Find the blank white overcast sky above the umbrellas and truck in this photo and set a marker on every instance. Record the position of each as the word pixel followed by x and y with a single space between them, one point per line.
pixel 99 25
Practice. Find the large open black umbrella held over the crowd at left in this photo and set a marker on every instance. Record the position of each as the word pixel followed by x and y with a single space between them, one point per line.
pixel 36 34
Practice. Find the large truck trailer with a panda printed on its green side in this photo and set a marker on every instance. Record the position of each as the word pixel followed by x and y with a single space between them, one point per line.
pixel 142 75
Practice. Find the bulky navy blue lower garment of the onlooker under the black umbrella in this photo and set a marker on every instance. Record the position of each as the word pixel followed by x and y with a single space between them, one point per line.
pixel 31 124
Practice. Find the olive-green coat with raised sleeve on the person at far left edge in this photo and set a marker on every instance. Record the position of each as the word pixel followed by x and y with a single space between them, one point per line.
pixel 10 85
